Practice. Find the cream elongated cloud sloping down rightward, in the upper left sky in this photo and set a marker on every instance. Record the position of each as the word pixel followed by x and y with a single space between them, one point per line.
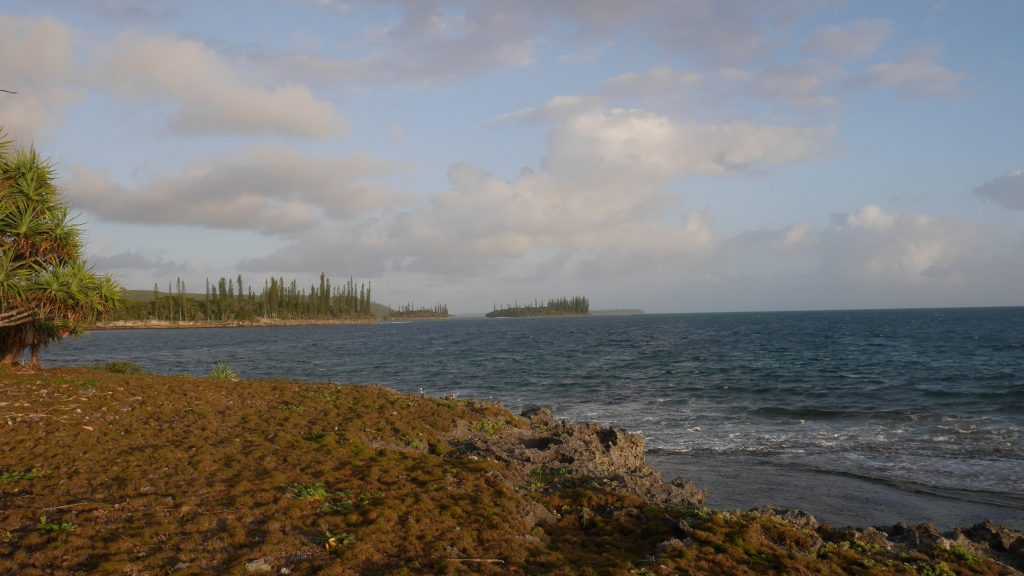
pixel 208 93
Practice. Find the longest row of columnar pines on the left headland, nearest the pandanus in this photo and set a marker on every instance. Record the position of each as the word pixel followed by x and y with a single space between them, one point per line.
pixel 232 300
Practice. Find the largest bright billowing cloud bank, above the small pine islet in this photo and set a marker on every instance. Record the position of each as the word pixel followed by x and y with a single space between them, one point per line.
pixel 599 200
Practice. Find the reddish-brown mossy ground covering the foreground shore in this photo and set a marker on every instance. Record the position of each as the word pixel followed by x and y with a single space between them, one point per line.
pixel 140 474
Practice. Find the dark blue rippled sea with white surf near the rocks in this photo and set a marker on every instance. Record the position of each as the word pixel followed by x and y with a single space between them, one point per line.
pixel 865 418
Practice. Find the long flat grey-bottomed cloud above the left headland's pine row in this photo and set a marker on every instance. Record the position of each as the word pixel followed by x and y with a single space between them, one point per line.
pixel 271 190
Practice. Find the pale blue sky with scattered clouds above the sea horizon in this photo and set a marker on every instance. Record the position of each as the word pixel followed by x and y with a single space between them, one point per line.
pixel 665 155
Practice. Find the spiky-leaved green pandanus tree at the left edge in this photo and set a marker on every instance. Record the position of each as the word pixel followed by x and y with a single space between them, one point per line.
pixel 48 292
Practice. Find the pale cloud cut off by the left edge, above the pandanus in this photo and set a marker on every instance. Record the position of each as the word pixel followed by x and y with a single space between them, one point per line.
pixel 36 61
